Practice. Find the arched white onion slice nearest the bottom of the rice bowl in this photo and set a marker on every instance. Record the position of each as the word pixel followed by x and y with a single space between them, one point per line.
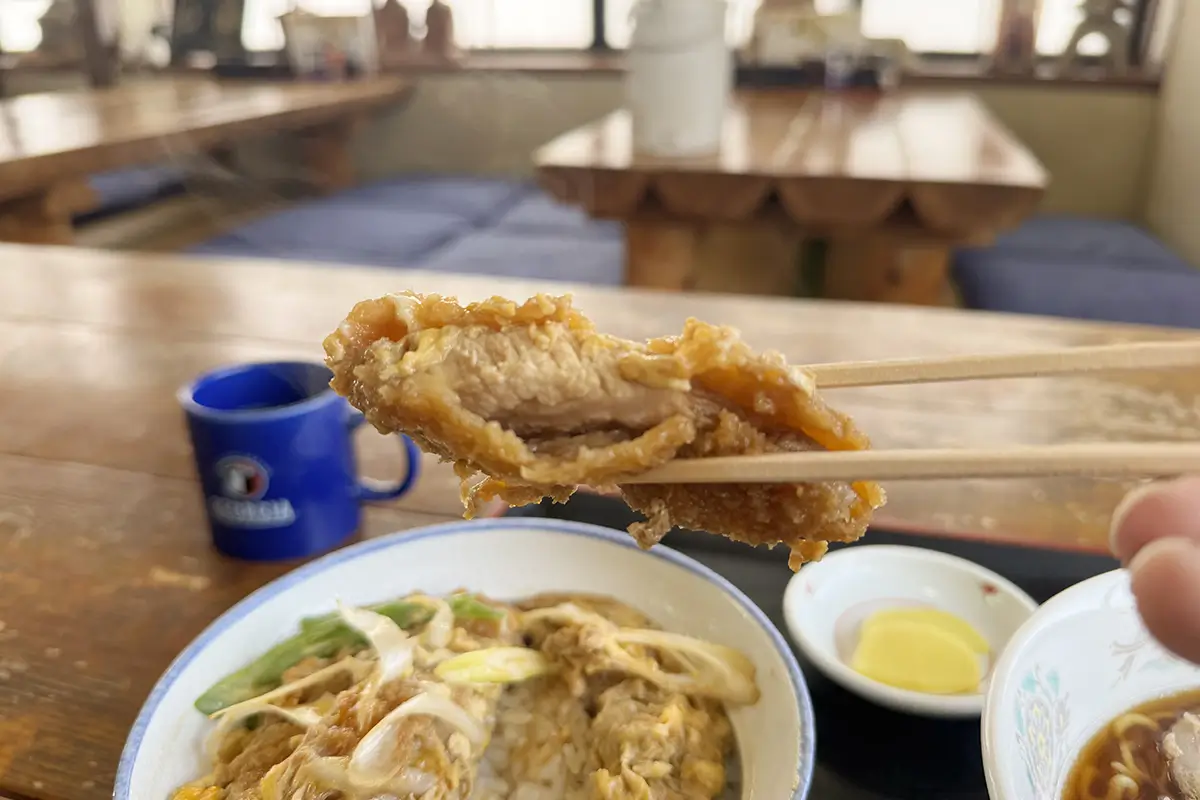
pixel 374 761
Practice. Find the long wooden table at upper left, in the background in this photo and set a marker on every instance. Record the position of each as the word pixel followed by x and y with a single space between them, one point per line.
pixel 51 143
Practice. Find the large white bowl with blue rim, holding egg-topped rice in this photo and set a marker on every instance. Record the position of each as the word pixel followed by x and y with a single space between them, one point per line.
pixel 503 558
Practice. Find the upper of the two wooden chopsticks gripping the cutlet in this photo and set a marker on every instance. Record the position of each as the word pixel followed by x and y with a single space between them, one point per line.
pixel 1136 356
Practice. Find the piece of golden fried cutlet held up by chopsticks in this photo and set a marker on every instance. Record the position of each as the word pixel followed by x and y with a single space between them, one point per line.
pixel 539 402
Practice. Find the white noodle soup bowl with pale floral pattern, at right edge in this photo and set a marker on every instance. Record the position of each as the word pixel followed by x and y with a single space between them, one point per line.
pixel 1078 664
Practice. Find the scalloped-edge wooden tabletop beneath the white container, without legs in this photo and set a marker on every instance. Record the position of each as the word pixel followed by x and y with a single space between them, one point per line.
pixel 832 160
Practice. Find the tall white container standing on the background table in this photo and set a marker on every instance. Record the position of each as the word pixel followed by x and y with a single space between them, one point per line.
pixel 680 77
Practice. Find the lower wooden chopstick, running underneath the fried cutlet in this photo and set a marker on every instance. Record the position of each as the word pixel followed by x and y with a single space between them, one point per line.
pixel 1100 460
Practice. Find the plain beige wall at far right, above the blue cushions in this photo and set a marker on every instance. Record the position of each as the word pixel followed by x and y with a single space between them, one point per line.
pixel 1173 208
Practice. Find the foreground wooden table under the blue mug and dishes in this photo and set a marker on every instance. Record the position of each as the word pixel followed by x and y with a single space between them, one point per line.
pixel 106 570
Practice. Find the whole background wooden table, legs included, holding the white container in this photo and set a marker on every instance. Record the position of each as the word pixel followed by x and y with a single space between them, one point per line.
pixel 893 181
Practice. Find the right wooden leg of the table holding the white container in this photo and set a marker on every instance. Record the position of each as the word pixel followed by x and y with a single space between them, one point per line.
pixel 883 269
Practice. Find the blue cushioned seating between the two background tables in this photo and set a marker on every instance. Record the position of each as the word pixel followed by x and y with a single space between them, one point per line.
pixel 455 225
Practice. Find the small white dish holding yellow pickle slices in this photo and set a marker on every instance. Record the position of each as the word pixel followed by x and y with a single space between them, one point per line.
pixel 827 601
